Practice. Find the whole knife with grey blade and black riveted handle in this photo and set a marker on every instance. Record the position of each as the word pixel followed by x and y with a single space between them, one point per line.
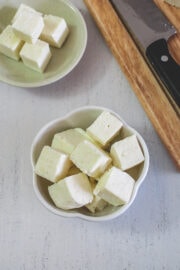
pixel 151 31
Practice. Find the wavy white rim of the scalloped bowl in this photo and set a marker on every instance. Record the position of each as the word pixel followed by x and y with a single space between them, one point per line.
pixel 139 182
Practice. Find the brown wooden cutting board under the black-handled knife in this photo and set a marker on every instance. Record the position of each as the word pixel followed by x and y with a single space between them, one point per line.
pixel 159 107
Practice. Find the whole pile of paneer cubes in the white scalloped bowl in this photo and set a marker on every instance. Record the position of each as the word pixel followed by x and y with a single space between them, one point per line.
pixel 89 168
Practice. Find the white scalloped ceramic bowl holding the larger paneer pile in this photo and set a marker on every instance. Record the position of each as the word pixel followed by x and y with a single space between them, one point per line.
pixel 83 117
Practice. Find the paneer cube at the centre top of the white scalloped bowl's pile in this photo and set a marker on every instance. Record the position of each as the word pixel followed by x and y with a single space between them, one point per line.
pixel 90 159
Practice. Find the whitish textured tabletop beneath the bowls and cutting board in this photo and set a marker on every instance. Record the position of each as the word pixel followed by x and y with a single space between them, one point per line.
pixel 147 236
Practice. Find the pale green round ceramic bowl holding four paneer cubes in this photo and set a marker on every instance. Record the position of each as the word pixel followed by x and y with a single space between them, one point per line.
pixel 63 59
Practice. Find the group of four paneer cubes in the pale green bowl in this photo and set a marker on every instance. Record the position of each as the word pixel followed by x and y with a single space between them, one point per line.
pixel 30 35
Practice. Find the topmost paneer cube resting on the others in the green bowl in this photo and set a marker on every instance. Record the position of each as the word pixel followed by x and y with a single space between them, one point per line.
pixel 28 26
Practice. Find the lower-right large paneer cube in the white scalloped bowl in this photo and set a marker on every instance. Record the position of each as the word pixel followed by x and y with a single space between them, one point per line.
pixel 115 187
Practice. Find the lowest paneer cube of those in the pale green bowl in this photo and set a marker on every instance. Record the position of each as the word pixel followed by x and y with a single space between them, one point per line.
pixel 36 56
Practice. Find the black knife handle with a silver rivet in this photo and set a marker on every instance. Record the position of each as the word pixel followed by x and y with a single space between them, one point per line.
pixel 166 67
